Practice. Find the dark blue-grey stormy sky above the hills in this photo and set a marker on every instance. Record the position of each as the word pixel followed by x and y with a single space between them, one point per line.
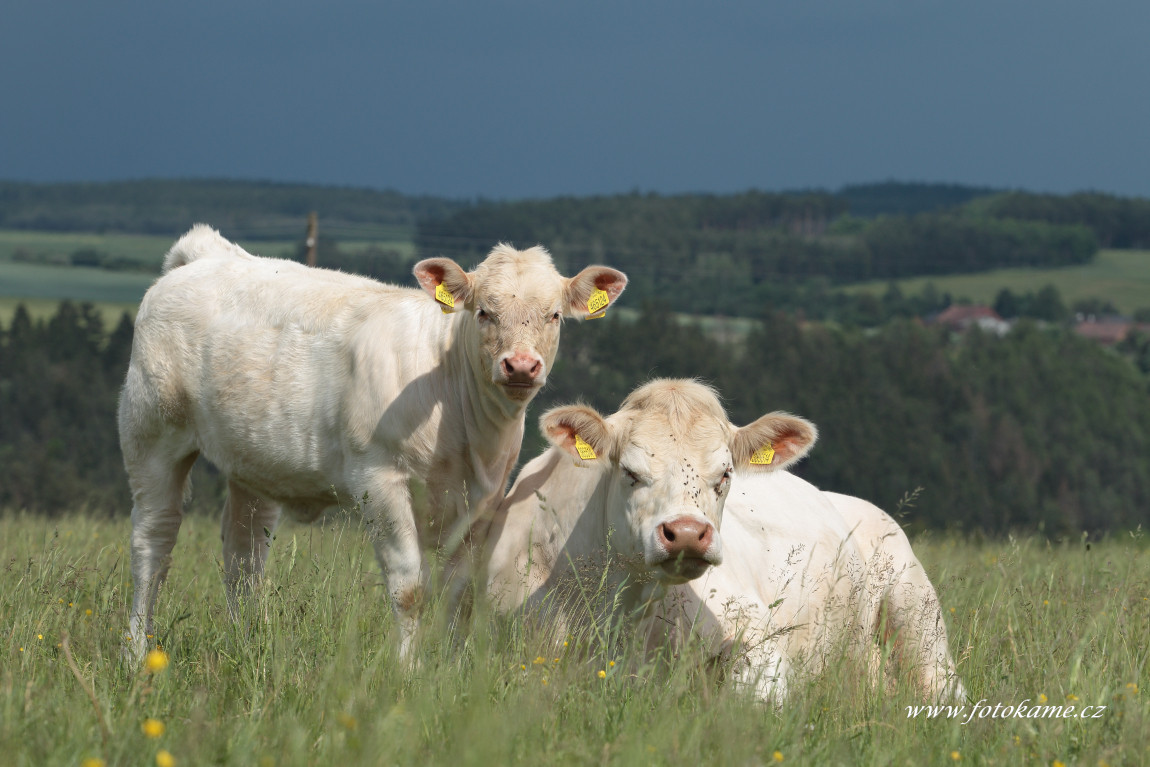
pixel 517 98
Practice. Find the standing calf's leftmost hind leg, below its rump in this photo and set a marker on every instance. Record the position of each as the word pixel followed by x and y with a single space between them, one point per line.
pixel 158 487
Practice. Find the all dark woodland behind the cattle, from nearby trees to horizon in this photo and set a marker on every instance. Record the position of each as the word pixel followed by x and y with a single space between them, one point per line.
pixel 1036 429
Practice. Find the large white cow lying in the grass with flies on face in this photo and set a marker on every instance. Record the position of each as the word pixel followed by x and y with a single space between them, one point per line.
pixel 794 589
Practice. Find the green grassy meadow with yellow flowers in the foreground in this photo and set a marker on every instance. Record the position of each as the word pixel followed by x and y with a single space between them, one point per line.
pixel 315 679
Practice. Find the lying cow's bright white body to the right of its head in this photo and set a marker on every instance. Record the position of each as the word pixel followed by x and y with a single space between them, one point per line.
pixel 808 578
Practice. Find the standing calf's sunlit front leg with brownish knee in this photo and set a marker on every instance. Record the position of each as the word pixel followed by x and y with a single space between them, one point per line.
pixel 392 526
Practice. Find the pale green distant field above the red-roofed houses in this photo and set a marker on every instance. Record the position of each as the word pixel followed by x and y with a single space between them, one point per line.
pixel 1121 277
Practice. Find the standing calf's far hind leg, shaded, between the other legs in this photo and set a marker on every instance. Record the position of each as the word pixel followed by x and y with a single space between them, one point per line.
pixel 249 523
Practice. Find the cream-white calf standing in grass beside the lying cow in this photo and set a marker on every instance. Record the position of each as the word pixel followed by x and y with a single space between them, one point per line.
pixel 309 388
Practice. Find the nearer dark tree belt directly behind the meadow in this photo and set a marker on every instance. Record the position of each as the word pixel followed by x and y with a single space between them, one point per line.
pixel 1034 431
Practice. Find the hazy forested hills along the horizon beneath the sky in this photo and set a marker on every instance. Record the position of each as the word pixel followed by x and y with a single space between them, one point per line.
pixel 731 255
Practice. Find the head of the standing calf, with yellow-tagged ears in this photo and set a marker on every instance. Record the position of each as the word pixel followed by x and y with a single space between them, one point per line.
pixel 518 301
